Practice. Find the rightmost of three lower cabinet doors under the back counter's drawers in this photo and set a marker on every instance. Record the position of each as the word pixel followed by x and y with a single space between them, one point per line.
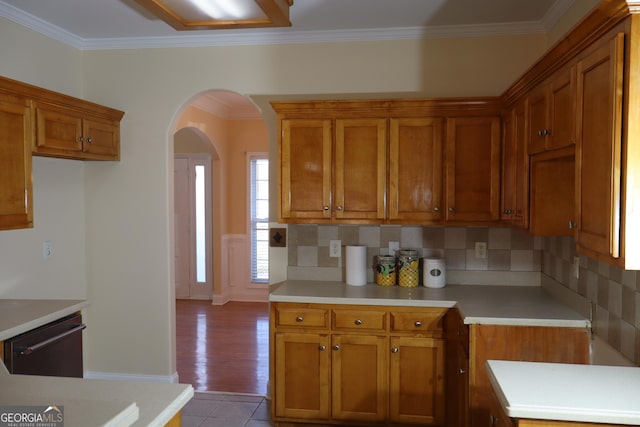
pixel 416 380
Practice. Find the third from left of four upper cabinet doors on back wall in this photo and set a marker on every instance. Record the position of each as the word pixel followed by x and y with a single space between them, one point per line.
pixel 415 170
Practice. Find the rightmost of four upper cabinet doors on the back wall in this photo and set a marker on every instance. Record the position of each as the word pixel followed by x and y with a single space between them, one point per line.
pixel 473 169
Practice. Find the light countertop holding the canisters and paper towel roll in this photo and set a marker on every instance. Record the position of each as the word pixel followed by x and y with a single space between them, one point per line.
pixel 478 304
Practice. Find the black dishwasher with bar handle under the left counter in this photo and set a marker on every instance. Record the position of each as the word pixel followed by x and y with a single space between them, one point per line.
pixel 54 349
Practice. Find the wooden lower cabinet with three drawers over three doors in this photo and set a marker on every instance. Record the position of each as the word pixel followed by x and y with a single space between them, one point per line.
pixel 367 365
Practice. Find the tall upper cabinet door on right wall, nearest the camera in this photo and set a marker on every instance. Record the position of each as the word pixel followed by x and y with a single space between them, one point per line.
pixel 598 150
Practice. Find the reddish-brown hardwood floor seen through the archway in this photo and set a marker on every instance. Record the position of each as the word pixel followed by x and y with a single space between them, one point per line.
pixel 223 348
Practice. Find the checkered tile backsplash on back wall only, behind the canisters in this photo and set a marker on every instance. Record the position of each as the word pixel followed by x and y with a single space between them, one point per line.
pixel 507 249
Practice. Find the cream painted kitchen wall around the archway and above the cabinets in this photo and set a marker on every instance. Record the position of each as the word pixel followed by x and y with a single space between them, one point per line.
pixel 127 204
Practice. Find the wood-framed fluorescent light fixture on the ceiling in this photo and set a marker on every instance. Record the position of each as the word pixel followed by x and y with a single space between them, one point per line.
pixel 220 14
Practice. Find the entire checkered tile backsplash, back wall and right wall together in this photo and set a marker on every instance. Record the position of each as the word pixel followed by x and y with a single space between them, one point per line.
pixel 614 293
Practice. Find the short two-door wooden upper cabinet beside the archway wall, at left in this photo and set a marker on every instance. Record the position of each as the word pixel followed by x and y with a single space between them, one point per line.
pixel 70 133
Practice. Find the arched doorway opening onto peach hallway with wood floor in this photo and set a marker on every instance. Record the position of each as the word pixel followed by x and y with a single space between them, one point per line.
pixel 222 343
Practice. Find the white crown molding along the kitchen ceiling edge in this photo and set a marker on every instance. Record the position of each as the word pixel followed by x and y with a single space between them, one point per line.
pixel 285 36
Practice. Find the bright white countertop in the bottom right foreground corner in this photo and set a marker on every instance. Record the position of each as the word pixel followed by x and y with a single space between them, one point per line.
pixel 567 392
